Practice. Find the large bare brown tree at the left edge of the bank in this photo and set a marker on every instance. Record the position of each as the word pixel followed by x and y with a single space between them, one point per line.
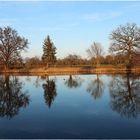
pixel 11 45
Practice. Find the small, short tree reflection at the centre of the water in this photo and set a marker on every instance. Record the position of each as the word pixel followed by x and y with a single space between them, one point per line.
pixel 73 82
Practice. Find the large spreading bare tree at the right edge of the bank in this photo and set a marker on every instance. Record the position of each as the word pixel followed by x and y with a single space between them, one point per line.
pixel 126 40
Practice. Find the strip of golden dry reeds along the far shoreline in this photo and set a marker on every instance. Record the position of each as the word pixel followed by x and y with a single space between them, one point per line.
pixel 71 70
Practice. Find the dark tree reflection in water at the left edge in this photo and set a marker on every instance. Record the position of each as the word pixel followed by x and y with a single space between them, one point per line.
pixel 11 96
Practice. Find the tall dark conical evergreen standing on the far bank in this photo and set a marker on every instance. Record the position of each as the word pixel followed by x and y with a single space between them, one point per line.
pixel 49 52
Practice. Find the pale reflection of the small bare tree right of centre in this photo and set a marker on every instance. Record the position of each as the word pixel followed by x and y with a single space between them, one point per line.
pixel 95 88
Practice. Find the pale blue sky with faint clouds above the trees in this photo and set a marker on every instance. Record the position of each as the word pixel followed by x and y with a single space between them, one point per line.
pixel 72 25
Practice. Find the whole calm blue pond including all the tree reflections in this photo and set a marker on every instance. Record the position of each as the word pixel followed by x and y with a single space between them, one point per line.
pixel 78 106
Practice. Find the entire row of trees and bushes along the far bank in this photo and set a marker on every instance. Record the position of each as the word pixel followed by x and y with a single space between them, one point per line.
pixel 124 50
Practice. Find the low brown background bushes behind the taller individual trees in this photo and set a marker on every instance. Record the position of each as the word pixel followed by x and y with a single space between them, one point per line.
pixel 78 61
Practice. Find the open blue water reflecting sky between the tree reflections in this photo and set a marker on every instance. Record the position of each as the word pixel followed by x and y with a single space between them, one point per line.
pixel 74 113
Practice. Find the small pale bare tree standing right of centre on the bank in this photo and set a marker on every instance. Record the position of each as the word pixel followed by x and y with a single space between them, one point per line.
pixel 95 51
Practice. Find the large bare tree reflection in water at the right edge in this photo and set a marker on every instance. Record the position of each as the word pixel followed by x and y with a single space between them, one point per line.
pixel 125 96
